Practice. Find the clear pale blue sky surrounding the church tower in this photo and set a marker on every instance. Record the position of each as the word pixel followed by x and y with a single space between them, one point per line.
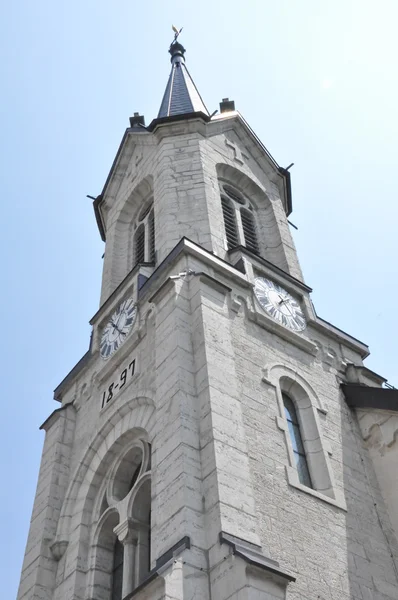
pixel 316 80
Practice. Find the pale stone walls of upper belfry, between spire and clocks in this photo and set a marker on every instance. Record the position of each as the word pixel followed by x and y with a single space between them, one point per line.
pixel 181 166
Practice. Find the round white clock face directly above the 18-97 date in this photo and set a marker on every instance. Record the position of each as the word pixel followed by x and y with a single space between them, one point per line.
pixel 118 328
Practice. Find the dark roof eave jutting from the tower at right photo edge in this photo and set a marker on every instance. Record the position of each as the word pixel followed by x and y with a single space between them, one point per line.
pixel 363 396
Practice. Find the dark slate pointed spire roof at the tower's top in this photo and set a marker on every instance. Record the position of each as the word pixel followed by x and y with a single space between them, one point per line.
pixel 181 95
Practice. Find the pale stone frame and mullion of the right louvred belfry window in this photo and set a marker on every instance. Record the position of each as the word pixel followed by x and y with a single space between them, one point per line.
pixel 237 202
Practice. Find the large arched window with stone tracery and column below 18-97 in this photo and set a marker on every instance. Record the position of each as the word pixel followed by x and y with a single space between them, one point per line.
pixel 120 515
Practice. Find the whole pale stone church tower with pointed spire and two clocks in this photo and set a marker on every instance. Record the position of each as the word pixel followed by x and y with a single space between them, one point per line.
pixel 219 440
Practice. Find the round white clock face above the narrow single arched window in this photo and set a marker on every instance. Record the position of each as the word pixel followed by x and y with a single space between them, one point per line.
pixel 279 304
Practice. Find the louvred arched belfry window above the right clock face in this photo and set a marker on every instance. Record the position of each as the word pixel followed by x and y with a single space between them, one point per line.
pixel 239 221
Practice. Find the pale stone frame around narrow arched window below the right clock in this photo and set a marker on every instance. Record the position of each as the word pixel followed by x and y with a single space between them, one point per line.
pixel 286 381
